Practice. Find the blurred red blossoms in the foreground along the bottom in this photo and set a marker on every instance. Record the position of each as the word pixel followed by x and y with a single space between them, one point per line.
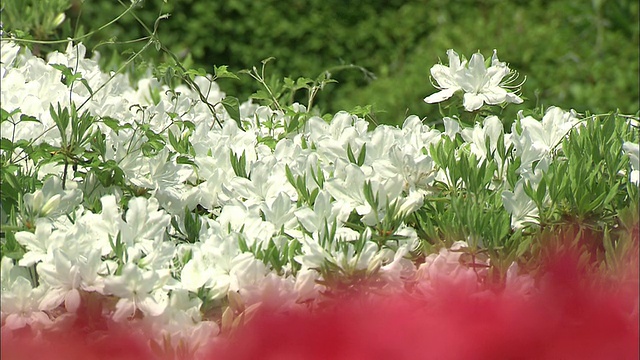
pixel 568 317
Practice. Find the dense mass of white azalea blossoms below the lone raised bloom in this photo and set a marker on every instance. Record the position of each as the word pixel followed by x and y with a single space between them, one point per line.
pixel 297 194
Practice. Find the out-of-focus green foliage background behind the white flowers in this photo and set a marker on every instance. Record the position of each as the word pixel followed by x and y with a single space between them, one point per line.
pixel 576 54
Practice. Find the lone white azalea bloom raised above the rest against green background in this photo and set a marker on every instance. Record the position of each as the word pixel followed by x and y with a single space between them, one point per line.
pixel 479 83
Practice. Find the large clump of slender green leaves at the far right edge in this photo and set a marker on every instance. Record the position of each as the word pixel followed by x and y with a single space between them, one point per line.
pixel 584 184
